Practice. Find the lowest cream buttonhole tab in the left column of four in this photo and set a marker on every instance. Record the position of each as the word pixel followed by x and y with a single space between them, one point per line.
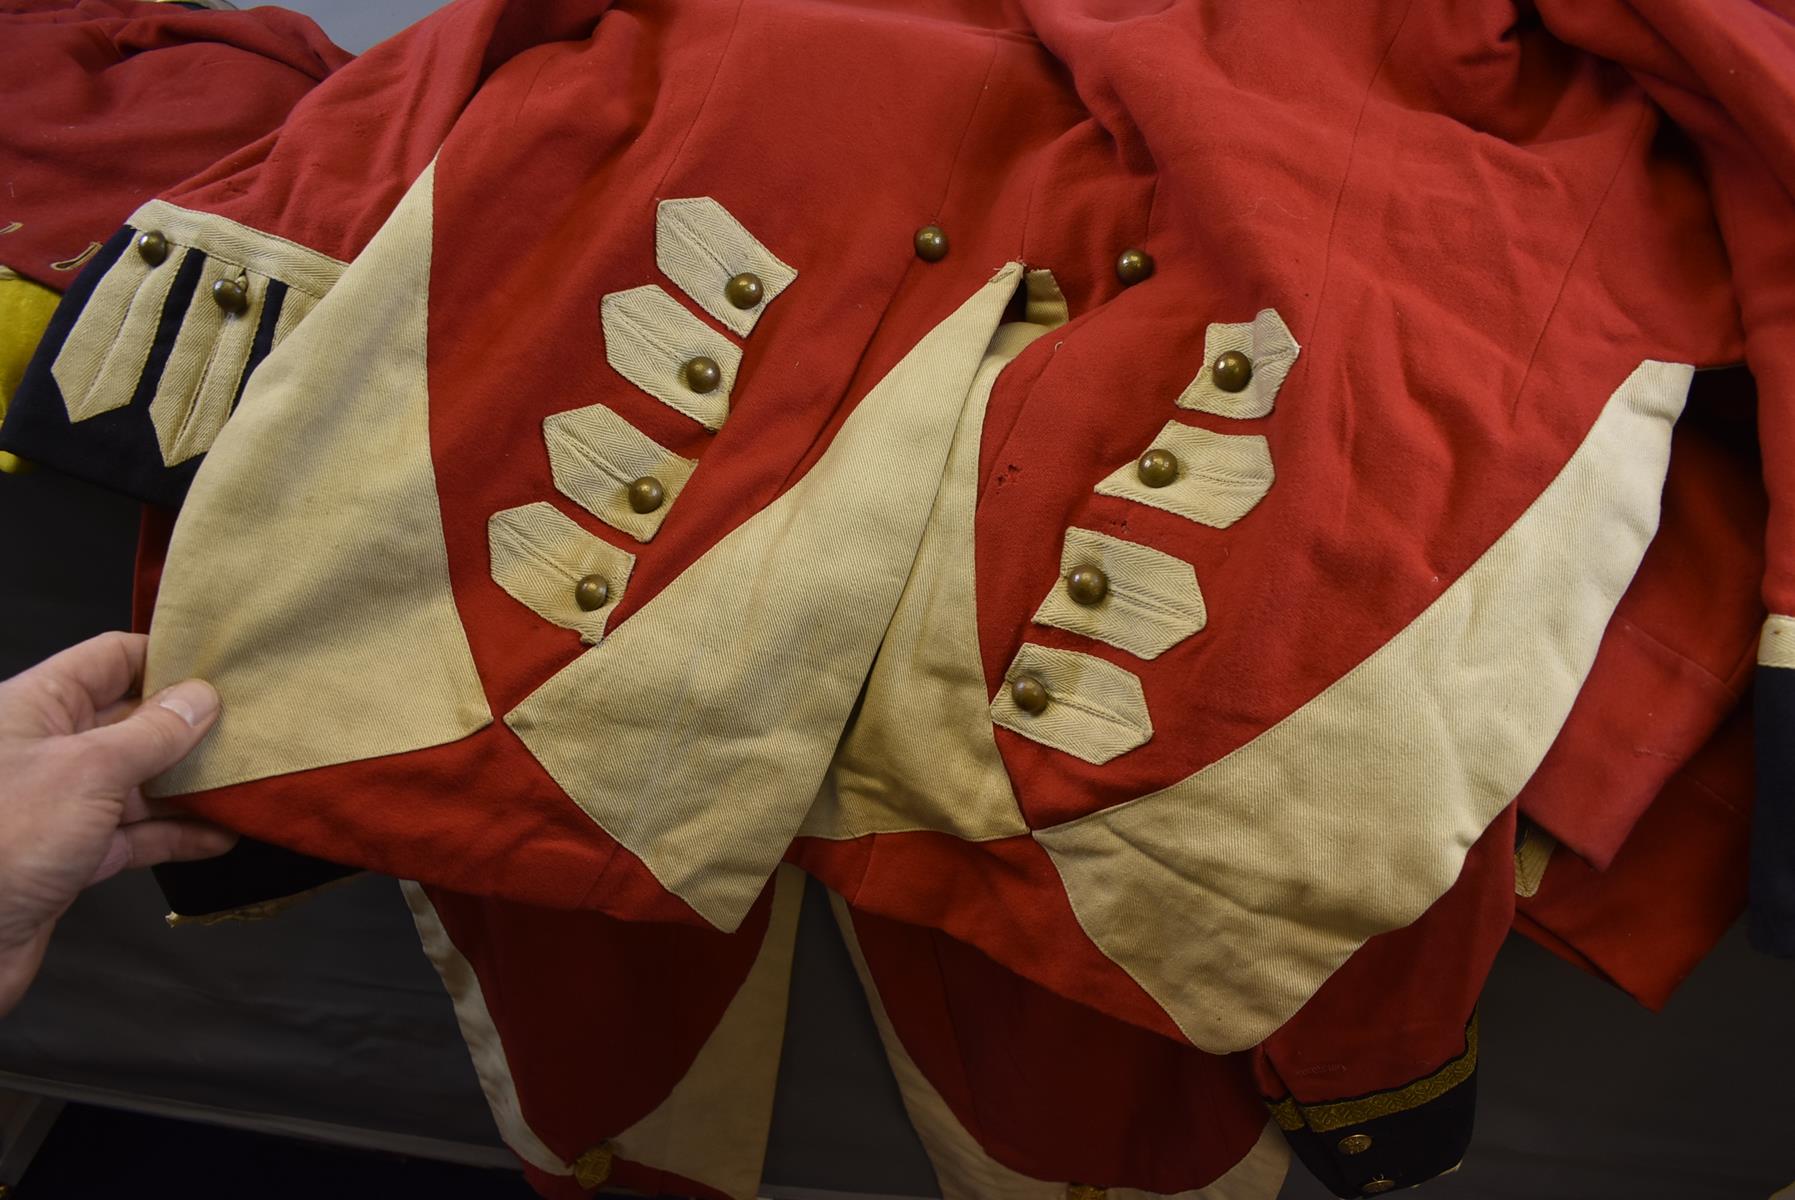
pixel 539 555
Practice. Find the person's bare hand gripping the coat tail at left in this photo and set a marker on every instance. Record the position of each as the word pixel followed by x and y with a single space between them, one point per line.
pixel 74 749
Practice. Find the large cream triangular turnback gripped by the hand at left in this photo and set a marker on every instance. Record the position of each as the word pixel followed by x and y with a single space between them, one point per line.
pixel 313 539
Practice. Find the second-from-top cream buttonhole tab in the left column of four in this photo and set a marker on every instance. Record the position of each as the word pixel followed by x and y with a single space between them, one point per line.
pixel 649 342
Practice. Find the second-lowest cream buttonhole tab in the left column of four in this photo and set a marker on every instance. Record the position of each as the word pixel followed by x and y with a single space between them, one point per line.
pixel 595 457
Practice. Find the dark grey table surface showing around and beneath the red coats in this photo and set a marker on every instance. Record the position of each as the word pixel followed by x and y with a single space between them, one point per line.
pixel 333 1016
